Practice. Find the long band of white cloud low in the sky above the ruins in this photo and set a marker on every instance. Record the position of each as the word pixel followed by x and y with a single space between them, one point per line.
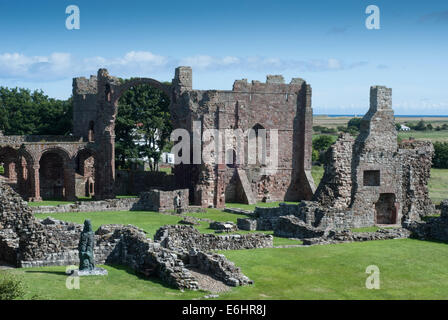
pixel 59 65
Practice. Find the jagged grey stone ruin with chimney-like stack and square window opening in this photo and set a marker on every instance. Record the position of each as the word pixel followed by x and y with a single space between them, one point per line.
pixel 367 181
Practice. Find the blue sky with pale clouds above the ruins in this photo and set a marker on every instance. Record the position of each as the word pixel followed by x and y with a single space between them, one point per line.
pixel 324 42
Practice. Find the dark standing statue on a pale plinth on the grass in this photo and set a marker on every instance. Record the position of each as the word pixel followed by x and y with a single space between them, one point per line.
pixel 85 252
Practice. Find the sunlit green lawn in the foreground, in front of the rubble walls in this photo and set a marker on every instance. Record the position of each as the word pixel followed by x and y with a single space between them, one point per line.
pixel 409 269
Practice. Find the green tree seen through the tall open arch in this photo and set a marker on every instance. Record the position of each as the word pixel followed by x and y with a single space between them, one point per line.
pixel 144 117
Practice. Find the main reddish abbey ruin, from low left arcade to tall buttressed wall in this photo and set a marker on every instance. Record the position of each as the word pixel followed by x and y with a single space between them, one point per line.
pixel 49 167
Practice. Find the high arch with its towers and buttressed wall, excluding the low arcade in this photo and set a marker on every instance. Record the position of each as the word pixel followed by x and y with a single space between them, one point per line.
pixel 273 105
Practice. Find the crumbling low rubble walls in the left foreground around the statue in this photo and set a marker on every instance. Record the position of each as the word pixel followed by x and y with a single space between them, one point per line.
pixel 28 242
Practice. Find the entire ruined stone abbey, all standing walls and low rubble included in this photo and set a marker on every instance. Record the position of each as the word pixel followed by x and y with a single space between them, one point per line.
pixel 370 180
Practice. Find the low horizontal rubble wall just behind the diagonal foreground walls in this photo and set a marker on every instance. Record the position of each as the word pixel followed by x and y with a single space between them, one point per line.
pixel 187 237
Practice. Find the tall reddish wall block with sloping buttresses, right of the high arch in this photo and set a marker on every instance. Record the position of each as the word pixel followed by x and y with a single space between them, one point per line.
pixel 270 105
